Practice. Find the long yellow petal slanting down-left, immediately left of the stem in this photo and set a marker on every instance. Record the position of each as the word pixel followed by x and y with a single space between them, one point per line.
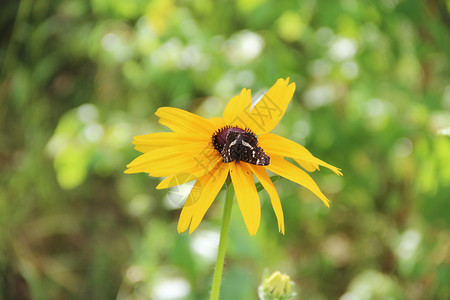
pixel 201 197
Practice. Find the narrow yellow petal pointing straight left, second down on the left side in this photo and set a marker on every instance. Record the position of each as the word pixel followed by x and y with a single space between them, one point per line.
pixel 147 142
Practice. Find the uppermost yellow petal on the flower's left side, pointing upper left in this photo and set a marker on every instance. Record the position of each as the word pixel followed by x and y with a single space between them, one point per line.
pixel 184 122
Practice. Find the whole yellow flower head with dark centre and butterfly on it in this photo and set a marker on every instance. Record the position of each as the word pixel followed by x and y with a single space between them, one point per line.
pixel 210 149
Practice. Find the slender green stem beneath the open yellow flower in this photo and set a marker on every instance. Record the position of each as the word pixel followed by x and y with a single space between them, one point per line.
pixel 215 289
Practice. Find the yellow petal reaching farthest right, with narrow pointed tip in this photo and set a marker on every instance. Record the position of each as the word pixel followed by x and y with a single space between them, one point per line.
pixel 274 144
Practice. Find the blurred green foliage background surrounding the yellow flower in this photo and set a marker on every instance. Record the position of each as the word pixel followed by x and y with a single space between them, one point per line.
pixel 80 78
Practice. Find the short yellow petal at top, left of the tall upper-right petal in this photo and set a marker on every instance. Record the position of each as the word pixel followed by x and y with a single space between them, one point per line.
pixel 237 106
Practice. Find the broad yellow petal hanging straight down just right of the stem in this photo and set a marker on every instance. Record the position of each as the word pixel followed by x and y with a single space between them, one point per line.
pixel 246 195
